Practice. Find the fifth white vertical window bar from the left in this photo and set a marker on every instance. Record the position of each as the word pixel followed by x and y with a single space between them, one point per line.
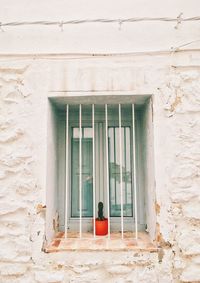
pixel 120 161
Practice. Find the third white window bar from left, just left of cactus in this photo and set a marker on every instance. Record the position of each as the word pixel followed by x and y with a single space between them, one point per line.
pixel 93 158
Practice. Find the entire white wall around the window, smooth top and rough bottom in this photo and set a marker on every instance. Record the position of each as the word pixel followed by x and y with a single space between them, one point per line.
pixel 26 82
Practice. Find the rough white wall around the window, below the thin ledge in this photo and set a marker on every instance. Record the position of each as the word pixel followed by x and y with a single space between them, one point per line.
pixel 24 87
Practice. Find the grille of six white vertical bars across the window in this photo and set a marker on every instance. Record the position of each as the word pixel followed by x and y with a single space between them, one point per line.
pixel 78 139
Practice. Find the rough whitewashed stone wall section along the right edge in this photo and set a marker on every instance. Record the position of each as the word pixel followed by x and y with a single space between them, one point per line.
pixel 183 108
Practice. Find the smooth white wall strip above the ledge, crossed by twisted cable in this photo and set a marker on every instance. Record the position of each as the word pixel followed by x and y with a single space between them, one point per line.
pixel 139 36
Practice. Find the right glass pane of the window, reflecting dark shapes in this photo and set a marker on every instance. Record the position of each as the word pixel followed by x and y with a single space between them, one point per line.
pixel 114 170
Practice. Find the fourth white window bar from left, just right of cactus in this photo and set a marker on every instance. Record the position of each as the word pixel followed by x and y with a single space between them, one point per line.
pixel 107 169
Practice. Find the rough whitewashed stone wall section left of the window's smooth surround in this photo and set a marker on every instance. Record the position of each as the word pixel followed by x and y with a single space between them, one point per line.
pixel 17 180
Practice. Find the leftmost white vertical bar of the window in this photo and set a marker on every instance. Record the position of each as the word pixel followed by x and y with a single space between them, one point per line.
pixel 66 168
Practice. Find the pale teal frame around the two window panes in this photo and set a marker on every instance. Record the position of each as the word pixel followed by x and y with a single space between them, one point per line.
pixel 100 193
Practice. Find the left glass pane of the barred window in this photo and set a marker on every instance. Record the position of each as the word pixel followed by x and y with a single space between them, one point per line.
pixel 87 180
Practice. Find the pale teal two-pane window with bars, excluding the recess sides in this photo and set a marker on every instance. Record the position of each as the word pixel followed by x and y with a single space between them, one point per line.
pixel 94 173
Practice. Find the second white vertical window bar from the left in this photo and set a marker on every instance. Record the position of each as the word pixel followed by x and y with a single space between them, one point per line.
pixel 80 170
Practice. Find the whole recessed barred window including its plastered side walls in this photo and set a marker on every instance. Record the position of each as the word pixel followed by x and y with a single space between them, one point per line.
pixel 94 126
